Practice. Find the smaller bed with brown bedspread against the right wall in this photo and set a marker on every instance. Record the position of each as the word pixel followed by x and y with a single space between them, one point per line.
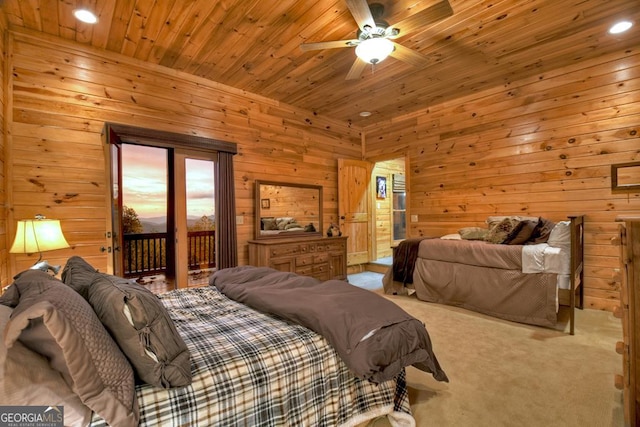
pixel 517 275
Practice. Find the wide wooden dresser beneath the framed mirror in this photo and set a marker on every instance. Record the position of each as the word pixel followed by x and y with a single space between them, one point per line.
pixel 324 258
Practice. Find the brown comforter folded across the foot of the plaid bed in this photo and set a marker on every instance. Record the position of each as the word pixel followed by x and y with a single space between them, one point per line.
pixel 375 338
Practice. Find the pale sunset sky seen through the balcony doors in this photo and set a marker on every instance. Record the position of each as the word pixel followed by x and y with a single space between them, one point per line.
pixel 144 182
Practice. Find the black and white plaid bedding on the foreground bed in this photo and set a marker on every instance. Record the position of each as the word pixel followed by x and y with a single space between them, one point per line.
pixel 251 369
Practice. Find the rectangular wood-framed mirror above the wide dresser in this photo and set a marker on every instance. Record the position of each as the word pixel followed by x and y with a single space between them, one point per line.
pixel 288 210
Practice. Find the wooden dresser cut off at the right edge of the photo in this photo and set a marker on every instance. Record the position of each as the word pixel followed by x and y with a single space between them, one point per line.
pixel 629 312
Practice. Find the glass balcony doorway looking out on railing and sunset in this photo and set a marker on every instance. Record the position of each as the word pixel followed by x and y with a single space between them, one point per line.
pixel 167 209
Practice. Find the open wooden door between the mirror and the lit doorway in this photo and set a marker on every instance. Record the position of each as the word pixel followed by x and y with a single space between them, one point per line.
pixel 354 177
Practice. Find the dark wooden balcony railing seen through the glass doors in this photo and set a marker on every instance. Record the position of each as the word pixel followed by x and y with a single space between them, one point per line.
pixel 145 253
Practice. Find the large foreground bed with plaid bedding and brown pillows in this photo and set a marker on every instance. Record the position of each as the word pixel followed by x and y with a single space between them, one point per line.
pixel 198 357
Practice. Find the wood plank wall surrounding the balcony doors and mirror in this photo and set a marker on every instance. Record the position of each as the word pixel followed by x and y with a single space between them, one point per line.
pixel 63 93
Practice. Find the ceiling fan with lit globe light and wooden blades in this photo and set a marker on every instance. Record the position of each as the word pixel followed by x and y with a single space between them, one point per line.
pixel 375 36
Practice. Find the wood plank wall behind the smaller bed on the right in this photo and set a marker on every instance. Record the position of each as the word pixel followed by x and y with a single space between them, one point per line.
pixel 541 146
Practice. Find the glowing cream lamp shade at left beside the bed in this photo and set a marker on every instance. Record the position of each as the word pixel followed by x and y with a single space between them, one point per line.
pixel 38 235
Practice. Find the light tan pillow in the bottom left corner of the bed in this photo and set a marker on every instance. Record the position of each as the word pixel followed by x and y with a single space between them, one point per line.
pixel 27 378
